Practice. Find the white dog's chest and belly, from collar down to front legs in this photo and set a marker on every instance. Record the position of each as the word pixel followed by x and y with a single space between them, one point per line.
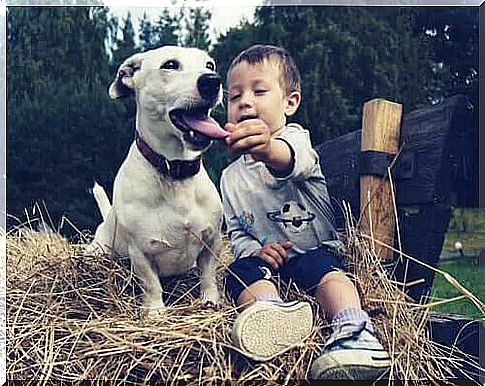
pixel 168 221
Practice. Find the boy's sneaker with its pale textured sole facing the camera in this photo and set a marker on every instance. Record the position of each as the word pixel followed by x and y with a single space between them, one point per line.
pixel 266 329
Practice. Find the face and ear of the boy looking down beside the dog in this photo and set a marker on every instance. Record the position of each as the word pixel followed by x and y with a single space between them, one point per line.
pixel 255 92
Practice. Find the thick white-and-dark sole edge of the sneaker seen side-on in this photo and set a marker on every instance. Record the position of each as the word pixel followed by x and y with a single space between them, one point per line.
pixel 363 366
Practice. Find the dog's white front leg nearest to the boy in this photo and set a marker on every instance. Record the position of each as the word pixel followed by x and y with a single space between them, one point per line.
pixel 207 262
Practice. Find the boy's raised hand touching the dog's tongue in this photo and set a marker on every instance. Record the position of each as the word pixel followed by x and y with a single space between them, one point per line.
pixel 250 136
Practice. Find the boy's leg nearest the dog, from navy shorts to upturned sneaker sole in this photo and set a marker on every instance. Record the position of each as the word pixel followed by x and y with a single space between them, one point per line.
pixel 267 326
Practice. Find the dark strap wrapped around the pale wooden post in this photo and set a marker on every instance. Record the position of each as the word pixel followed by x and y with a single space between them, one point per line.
pixel 376 163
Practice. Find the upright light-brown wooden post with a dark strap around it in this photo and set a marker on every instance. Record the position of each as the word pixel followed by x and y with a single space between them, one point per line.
pixel 381 121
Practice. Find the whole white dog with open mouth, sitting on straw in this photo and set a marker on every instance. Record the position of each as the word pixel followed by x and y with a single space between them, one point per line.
pixel 166 212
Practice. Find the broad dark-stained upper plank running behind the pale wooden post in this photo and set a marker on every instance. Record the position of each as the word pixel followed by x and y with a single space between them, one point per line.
pixel 431 139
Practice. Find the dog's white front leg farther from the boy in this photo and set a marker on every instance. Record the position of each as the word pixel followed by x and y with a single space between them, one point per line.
pixel 153 305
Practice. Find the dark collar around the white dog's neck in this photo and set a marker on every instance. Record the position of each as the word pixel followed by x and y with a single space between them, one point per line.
pixel 177 169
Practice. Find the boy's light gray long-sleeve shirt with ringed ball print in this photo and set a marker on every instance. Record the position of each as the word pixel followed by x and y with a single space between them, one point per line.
pixel 260 208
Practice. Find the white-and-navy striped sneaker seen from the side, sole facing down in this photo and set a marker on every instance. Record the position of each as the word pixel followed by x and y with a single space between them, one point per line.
pixel 352 352
